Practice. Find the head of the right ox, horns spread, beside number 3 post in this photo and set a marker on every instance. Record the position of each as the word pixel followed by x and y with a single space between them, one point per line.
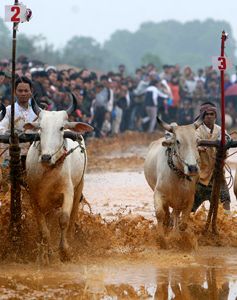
pixel 182 139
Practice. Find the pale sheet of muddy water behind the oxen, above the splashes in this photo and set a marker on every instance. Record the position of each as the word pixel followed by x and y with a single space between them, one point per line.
pixel 114 193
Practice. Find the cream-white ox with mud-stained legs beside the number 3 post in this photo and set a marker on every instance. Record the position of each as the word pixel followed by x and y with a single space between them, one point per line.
pixel 171 170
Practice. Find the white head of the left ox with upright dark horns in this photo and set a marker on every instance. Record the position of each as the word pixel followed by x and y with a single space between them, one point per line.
pixel 51 126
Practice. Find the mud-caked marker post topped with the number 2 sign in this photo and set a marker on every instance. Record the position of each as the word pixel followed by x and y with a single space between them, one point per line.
pixel 15 13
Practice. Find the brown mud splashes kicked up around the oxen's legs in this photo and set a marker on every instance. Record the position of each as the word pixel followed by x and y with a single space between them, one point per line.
pixel 125 234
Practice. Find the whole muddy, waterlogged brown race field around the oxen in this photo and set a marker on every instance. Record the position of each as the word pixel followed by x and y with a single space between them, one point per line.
pixel 115 251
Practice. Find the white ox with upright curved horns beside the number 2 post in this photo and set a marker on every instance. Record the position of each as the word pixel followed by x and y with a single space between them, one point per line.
pixel 54 175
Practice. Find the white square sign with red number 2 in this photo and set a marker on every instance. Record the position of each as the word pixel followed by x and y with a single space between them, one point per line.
pixel 15 13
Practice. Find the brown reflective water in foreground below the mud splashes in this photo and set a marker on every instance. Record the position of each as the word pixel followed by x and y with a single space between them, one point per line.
pixel 118 280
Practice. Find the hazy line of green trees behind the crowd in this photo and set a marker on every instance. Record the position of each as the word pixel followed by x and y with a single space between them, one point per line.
pixel 192 43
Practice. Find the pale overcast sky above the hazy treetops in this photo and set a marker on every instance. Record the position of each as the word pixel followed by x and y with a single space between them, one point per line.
pixel 60 20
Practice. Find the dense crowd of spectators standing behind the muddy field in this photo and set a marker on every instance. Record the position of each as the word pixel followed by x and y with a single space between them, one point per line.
pixel 116 101
